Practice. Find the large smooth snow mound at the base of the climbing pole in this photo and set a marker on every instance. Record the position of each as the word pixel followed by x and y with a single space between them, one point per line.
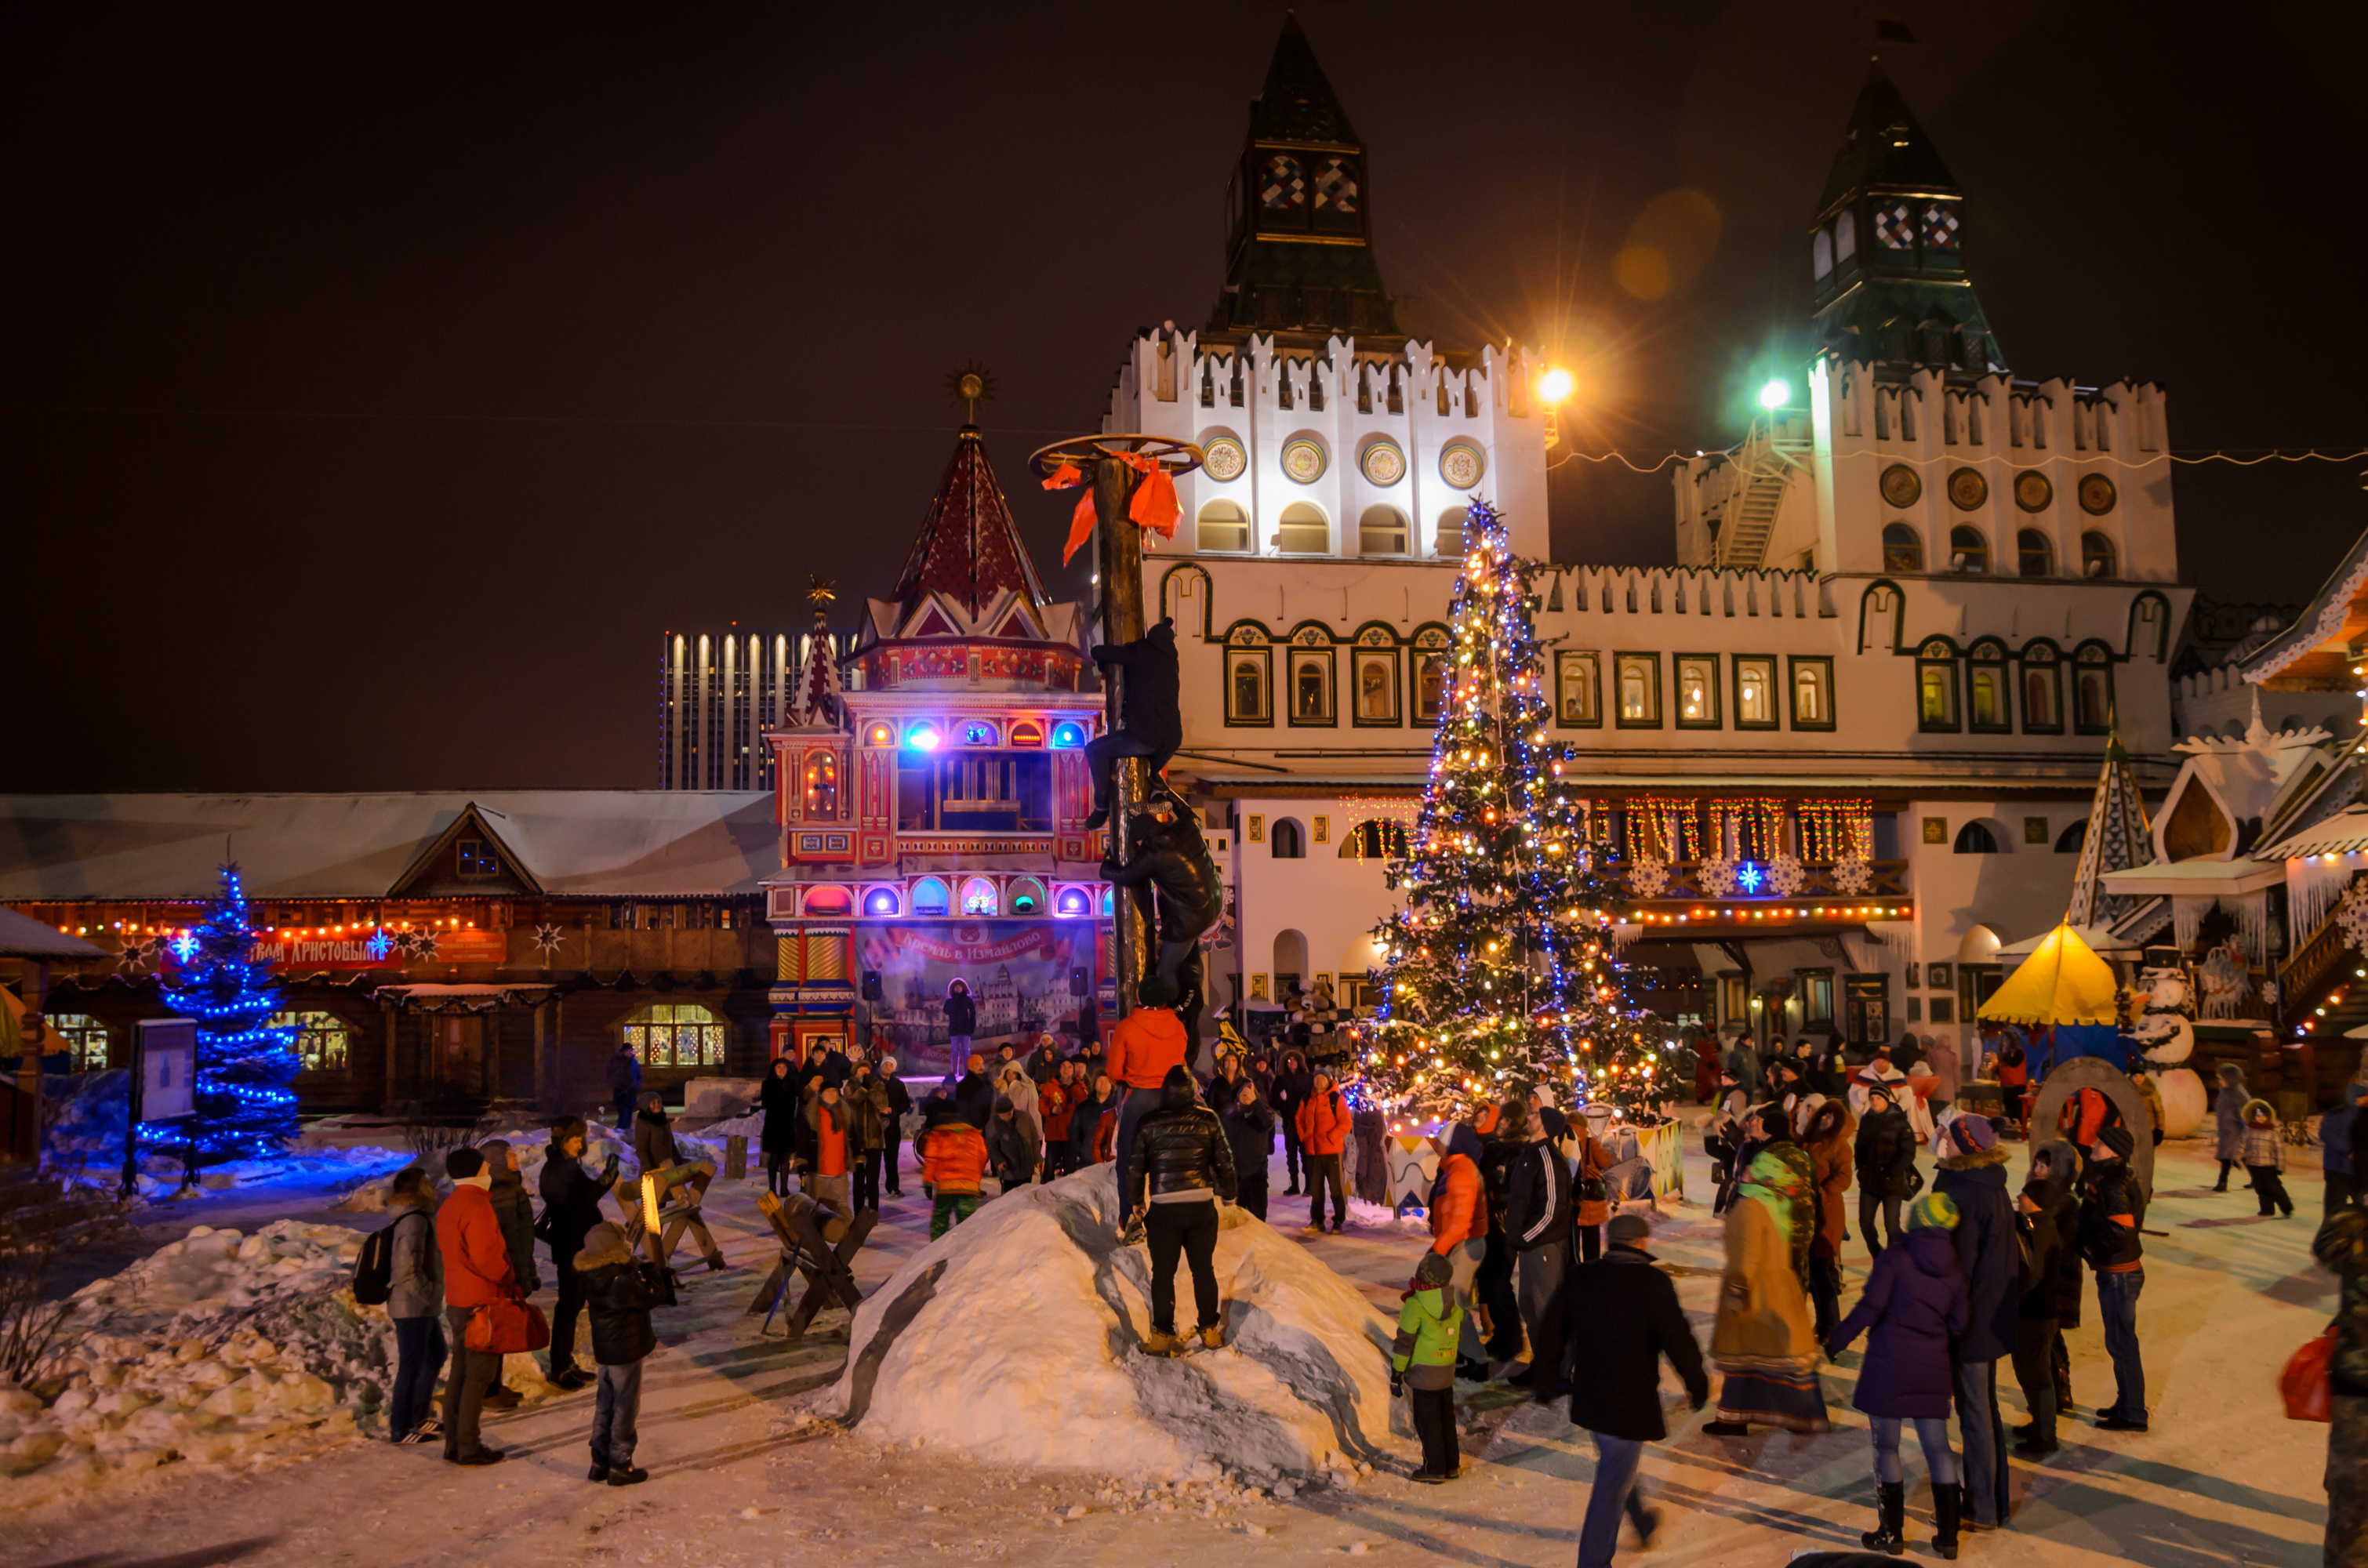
pixel 1017 1337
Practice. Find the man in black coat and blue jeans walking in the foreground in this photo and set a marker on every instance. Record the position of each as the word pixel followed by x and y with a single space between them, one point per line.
pixel 1626 1313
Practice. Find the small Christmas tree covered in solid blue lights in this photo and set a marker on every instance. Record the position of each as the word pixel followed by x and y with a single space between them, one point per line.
pixel 245 1065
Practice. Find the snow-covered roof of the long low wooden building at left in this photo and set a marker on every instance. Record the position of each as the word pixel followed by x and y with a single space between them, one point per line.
pixel 574 842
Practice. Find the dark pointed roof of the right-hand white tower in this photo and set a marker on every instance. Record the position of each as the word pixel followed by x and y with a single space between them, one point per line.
pixel 1888 250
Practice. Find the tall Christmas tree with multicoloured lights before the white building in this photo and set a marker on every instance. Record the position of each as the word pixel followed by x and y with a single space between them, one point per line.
pixel 1502 968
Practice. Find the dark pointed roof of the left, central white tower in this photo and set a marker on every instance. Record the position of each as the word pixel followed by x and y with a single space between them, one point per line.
pixel 1299 250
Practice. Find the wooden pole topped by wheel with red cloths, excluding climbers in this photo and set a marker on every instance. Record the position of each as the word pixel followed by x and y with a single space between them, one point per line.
pixel 1117 465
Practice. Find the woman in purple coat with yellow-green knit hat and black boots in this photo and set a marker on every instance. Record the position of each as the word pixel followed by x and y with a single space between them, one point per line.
pixel 1915 1306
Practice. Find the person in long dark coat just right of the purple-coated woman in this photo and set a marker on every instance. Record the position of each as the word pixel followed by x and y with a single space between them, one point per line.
pixel 1974 1178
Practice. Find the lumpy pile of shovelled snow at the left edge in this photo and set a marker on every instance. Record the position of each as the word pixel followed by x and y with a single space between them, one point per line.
pixel 212 1349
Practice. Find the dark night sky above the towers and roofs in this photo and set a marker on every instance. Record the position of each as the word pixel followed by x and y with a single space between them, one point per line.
pixel 382 383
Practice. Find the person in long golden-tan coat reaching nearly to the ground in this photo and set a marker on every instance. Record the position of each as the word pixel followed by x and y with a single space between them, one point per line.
pixel 1763 1337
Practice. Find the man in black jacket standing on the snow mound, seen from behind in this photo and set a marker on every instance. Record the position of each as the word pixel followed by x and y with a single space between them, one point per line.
pixel 1183 1167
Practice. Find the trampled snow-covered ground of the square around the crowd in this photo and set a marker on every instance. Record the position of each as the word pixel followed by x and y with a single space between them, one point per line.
pixel 742 1477
